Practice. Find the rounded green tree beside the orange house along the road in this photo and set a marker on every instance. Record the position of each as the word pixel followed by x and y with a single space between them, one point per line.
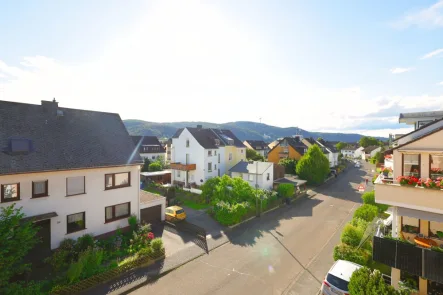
pixel 313 166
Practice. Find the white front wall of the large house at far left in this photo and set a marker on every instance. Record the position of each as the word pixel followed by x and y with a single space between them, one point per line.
pixel 93 202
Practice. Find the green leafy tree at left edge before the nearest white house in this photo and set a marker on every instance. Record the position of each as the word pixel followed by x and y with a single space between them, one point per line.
pixel 17 237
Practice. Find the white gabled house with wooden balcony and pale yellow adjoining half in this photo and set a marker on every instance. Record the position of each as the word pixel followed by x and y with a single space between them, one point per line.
pixel 198 154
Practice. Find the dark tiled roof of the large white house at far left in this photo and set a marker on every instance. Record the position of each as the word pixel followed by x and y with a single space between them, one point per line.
pixel 77 139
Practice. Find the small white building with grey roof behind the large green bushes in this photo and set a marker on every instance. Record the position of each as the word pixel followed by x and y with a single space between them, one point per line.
pixel 256 173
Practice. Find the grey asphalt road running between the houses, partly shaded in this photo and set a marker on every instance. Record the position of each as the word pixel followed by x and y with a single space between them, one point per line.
pixel 287 251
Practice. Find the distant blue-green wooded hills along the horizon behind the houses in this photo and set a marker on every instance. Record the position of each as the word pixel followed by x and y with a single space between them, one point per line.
pixel 242 129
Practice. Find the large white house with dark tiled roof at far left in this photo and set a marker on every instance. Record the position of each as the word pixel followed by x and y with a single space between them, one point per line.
pixel 73 171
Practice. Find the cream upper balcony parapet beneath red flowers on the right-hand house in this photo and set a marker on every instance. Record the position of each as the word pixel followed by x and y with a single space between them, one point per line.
pixel 419 198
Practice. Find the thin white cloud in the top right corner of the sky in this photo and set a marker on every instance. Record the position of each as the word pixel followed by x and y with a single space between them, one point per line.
pixel 430 17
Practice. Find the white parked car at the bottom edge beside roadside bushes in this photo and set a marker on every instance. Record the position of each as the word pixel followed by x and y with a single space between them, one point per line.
pixel 337 279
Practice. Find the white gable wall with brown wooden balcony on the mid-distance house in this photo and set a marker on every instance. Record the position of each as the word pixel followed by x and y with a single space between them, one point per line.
pixel 196 156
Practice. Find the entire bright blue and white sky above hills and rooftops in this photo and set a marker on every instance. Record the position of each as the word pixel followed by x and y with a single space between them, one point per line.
pixel 337 66
